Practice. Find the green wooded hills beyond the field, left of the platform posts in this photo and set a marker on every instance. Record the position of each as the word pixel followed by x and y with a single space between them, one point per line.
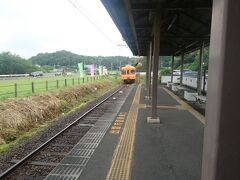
pixel 46 62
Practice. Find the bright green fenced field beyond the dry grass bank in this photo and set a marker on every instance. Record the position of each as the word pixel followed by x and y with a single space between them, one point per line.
pixel 27 86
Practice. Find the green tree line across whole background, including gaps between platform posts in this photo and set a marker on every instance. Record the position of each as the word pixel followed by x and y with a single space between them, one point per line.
pixel 14 64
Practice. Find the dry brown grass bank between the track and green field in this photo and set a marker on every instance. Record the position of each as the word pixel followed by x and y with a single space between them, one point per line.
pixel 22 118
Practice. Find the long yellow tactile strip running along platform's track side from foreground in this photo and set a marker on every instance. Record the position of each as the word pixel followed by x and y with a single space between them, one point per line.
pixel 122 158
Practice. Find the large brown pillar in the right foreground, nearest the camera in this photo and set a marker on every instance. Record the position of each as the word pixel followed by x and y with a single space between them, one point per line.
pixel 222 130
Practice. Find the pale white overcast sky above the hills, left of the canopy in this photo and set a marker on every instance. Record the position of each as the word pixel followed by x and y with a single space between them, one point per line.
pixel 29 27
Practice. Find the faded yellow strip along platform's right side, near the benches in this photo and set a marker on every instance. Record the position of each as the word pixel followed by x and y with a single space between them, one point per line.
pixel 185 106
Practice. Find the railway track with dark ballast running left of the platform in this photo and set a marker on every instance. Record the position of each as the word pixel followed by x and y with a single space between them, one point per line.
pixel 39 162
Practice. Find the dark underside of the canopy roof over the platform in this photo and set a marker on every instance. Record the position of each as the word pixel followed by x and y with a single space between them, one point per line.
pixel 184 24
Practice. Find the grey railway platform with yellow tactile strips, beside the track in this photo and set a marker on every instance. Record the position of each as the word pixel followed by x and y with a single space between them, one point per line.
pixel 127 147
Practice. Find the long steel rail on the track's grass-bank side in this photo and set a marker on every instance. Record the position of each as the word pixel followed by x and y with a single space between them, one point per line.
pixel 31 154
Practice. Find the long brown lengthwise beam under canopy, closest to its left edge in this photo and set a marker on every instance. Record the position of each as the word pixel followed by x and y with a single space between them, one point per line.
pixel 131 20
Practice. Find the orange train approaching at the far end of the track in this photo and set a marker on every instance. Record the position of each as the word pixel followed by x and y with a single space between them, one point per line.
pixel 128 74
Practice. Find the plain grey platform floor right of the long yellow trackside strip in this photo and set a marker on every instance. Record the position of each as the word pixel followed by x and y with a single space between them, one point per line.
pixel 171 150
